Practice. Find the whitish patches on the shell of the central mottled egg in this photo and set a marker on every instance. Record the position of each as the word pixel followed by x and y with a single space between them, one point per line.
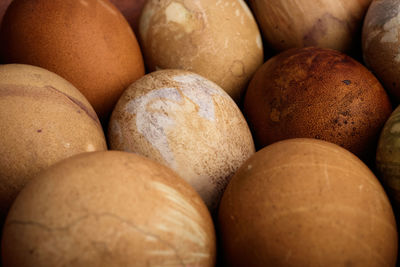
pixel 154 125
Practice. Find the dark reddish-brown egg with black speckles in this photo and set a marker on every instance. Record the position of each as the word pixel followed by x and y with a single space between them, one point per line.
pixel 317 93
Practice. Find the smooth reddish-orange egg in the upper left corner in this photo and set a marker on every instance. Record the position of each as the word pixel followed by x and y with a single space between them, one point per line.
pixel 87 42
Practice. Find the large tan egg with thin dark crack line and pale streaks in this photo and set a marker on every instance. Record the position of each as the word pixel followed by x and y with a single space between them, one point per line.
pixel 107 209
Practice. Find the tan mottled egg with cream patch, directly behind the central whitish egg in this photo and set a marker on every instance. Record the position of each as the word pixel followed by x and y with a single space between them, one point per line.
pixel 219 40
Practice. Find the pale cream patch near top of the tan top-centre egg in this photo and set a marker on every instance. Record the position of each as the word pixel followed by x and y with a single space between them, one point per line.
pixel 177 13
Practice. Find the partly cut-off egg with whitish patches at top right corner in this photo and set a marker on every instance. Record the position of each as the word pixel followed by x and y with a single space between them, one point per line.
pixel 381 43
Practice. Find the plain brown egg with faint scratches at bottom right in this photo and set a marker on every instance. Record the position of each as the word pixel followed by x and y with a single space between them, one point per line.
pixel 306 202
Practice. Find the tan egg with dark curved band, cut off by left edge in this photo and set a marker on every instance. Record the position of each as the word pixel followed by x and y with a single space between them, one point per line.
pixel 43 119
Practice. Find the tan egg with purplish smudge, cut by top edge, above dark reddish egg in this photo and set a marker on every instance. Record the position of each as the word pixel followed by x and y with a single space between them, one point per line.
pixel 334 24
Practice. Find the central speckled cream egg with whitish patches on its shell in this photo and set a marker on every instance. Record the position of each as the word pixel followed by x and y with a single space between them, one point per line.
pixel 186 122
